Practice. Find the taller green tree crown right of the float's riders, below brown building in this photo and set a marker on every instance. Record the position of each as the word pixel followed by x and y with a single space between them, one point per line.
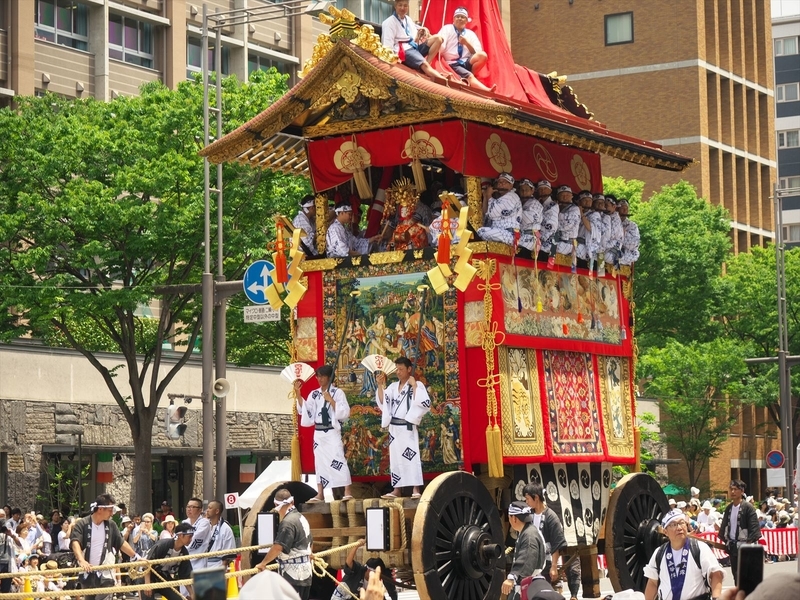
pixel 684 242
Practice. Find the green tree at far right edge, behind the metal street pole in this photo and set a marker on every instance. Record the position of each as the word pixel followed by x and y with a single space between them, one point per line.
pixel 749 313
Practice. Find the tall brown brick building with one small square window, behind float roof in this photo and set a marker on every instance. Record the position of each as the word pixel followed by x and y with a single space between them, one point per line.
pixel 695 76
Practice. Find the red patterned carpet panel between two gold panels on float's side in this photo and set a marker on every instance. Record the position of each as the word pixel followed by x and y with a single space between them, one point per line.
pixel 572 406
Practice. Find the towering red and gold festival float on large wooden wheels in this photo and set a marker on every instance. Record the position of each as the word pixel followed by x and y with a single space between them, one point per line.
pixel 529 364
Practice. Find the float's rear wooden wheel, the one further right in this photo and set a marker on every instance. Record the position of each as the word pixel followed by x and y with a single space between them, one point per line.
pixel 634 515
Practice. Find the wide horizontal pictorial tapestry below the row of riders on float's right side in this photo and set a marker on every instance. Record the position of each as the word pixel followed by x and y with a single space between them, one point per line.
pixel 574 307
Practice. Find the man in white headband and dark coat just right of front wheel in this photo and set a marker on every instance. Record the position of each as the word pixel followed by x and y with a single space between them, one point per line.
pixel 529 551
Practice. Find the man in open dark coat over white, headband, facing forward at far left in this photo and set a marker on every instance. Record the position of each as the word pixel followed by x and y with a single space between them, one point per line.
pixel 95 540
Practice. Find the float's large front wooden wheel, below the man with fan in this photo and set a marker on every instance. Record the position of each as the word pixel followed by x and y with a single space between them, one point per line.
pixel 457 543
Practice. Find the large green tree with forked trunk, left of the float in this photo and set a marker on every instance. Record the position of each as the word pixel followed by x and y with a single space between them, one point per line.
pixel 102 203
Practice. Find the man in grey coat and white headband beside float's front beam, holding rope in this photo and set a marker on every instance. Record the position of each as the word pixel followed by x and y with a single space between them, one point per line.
pixel 292 546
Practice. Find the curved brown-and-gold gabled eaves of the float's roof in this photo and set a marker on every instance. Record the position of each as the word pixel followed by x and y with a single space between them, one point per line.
pixel 259 143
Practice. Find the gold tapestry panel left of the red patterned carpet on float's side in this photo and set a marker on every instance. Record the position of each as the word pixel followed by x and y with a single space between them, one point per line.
pixel 523 432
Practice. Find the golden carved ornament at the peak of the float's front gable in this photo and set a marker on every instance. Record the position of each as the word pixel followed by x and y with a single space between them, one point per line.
pixel 344 26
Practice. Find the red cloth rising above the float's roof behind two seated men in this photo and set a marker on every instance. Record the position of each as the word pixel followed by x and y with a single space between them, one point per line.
pixel 513 81
